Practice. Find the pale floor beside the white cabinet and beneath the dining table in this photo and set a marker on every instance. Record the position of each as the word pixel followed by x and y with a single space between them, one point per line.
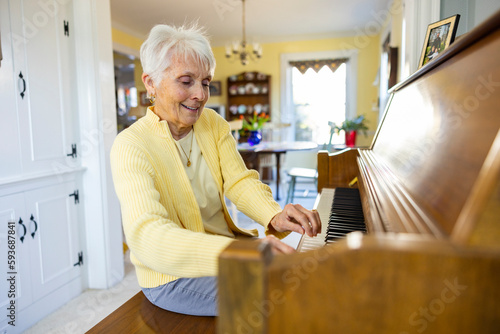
pixel 85 311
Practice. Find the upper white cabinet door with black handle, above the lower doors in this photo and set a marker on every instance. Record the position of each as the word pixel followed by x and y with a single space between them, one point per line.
pixel 38 87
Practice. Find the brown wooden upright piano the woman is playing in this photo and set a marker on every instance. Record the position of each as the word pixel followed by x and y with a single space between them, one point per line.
pixel 429 186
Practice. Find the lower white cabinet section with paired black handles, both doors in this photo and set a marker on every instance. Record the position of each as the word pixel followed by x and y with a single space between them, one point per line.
pixel 48 255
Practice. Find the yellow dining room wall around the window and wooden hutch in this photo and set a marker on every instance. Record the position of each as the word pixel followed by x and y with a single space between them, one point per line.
pixel 368 63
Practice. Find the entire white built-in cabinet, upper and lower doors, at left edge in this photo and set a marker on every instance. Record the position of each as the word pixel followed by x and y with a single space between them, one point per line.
pixel 40 163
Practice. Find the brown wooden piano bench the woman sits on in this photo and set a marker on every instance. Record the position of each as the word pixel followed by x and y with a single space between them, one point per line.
pixel 138 315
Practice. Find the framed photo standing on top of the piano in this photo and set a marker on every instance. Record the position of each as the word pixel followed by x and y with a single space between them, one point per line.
pixel 439 36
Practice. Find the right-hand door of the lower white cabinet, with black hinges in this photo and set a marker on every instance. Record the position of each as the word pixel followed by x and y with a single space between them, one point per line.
pixel 51 214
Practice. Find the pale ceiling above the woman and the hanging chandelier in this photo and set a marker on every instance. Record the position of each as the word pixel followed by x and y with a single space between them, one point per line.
pixel 266 20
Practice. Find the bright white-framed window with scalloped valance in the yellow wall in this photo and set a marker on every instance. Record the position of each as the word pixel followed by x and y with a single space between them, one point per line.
pixel 309 101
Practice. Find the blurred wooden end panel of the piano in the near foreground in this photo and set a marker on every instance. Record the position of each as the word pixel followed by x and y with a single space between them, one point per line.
pixel 367 284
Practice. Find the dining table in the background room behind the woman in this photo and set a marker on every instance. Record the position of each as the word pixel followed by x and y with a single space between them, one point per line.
pixel 251 154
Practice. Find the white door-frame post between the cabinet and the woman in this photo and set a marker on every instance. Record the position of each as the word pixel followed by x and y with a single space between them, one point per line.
pixel 98 129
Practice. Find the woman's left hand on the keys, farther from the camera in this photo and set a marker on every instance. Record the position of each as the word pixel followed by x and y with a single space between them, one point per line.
pixel 295 217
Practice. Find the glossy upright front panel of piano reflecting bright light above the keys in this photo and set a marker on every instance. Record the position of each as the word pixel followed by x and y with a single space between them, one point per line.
pixel 436 145
